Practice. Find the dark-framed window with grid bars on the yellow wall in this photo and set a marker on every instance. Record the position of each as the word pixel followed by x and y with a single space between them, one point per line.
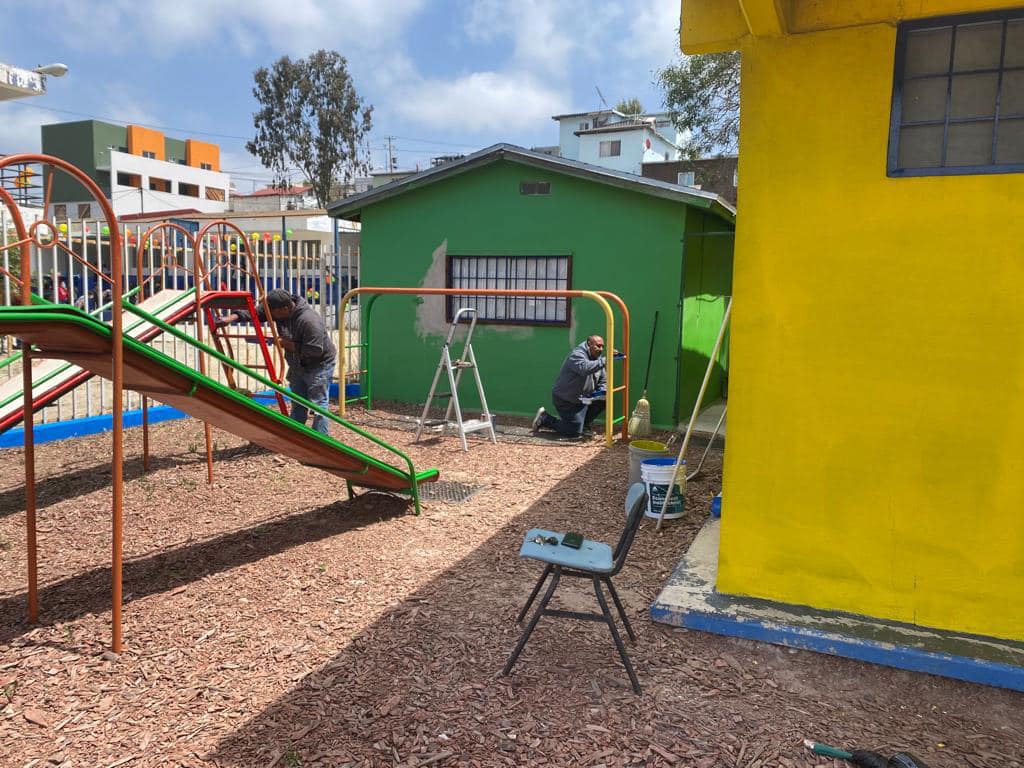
pixel 959 97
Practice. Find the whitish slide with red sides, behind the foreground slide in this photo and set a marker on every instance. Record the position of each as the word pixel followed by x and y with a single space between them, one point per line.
pixel 55 378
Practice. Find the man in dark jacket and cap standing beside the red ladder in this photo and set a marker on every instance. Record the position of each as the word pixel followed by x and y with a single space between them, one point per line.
pixel 309 351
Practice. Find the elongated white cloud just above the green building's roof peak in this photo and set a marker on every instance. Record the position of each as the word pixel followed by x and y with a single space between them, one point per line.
pixel 482 102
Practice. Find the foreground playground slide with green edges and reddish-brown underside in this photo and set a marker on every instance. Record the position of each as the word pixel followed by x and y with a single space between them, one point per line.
pixel 64 333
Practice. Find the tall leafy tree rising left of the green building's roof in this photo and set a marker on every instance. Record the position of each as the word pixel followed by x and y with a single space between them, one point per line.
pixel 313 118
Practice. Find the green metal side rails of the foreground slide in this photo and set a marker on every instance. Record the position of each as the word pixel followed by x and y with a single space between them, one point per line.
pixel 71 315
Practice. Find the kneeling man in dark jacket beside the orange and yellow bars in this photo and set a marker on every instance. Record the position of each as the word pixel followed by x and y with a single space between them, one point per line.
pixel 581 377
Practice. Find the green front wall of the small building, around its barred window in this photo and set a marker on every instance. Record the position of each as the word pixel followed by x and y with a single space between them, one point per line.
pixel 621 241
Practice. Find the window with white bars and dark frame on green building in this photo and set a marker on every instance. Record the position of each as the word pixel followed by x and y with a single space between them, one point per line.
pixel 511 273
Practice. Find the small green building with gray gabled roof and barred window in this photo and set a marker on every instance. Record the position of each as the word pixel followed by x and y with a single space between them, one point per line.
pixel 507 218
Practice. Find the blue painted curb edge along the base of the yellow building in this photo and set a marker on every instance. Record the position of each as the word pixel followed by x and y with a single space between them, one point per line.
pixel 901 657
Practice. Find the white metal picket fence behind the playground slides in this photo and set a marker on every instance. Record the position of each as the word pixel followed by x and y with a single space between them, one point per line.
pixel 300 267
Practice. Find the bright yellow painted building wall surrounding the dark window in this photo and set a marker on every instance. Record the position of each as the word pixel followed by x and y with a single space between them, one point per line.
pixel 876 458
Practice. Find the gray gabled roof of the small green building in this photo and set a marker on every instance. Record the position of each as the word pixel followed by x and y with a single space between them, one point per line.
pixel 352 208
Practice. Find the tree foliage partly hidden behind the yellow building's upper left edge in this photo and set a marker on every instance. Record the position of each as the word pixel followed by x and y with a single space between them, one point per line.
pixel 702 95
